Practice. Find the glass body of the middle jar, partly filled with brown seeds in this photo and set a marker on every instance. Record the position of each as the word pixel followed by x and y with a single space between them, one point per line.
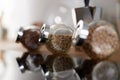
pixel 59 39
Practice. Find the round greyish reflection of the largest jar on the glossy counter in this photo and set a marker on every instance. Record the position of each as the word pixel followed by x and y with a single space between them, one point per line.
pixel 105 70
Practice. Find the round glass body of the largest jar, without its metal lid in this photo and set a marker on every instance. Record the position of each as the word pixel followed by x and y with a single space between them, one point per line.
pixel 102 40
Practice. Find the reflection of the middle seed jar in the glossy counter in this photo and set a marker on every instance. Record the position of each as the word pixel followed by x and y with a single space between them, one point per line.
pixel 63 68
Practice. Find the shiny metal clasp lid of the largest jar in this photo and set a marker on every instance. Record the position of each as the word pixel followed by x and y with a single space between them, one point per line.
pixel 80 34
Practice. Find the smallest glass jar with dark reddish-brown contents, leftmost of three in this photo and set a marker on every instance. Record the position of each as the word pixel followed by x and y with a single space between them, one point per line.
pixel 29 37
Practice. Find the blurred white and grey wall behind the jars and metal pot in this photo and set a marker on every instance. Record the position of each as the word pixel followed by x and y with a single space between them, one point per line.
pixel 24 12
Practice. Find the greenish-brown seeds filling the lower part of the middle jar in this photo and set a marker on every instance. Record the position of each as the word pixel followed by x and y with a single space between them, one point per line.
pixel 59 43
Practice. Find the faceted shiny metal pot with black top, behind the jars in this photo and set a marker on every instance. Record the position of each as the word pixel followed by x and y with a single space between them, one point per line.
pixel 87 13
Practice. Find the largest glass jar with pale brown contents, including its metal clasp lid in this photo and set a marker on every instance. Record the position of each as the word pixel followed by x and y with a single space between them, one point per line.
pixel 97 39
